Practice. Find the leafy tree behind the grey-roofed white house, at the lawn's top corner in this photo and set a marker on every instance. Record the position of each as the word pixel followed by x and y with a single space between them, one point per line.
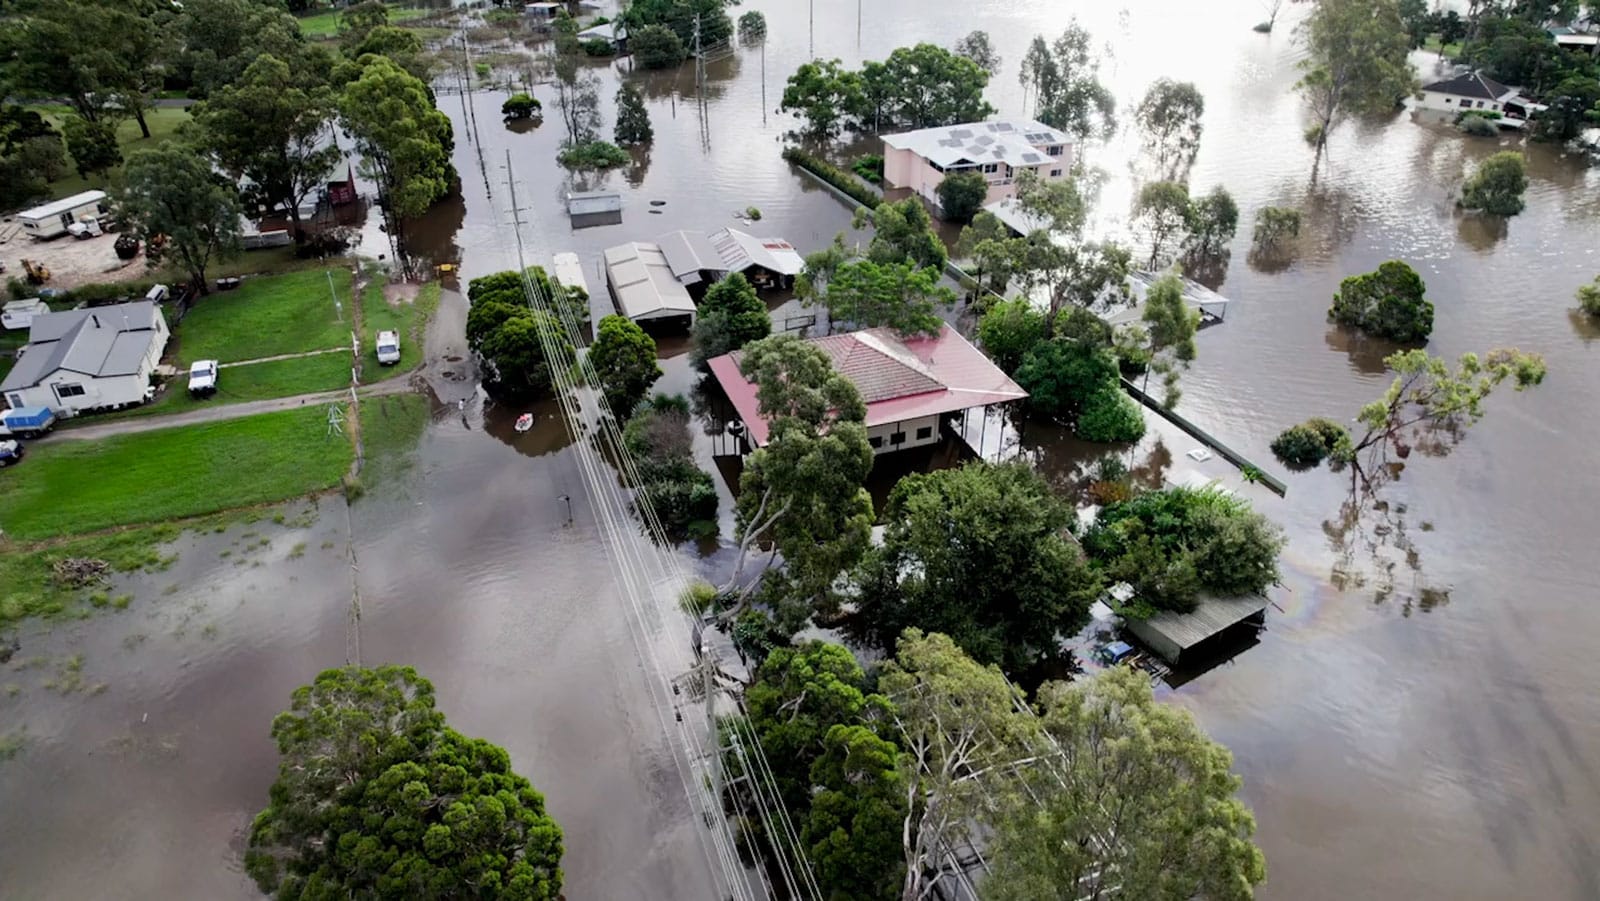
pixel 174 191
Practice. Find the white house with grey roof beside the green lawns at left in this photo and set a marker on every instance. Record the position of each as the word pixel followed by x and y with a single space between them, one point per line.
pixel 89 359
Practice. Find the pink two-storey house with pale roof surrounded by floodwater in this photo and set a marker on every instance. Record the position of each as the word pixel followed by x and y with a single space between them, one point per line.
pixel 1001 151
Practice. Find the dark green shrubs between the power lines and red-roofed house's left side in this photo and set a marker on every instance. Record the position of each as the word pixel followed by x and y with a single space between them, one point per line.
pixel 676 491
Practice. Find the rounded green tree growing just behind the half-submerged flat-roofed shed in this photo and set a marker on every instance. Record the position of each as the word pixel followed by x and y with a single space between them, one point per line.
pixel 1175 543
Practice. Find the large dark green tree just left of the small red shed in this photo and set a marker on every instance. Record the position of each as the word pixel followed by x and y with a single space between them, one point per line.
pixel 271 127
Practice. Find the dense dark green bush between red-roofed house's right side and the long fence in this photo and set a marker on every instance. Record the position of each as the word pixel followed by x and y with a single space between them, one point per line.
pixel 1078 383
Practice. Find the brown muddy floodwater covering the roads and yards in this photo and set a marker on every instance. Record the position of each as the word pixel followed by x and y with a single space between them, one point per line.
pixel 1418 721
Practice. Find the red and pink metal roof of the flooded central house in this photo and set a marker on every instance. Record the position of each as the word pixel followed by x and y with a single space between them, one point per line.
pixel 898 378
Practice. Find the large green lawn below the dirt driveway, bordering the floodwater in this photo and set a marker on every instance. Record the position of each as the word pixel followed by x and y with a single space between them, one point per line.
pixel 68 487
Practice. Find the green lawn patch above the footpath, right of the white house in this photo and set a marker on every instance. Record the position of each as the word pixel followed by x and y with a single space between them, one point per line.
pixel 266 318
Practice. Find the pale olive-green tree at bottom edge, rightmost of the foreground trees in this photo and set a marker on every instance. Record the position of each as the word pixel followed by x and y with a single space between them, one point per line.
pixel 1135 801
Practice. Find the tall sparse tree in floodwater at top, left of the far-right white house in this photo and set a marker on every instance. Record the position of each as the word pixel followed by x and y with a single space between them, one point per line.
pixel 1356 65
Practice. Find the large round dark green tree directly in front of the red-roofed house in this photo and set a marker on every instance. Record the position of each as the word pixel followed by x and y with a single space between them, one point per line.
pixel 983 555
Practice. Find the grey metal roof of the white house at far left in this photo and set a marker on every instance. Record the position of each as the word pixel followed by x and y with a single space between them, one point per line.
pixel 103 342
